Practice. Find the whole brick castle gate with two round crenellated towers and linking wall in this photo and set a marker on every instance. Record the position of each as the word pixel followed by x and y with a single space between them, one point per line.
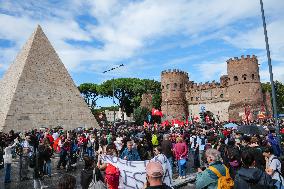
pixel 236 94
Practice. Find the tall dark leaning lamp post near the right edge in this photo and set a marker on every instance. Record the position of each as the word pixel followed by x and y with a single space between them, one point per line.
pixel 270 69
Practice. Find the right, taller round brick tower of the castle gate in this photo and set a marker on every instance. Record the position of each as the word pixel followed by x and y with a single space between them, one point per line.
pixel 244 86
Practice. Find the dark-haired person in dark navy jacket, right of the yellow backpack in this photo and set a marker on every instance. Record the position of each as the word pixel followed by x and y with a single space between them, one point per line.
pixel 250 177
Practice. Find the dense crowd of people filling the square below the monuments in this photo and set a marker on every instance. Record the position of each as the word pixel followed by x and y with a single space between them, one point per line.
pixel 219 156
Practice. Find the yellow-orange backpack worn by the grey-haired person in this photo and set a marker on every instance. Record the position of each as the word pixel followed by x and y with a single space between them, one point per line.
pixel 224 182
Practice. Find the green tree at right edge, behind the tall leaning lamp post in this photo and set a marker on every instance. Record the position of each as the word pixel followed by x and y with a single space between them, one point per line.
pixel 279 90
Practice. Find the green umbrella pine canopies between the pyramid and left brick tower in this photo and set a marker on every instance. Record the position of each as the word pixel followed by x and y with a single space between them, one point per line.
pixel 128 92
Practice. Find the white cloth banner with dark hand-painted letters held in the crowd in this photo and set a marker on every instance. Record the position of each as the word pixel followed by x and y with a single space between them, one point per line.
pixel 133 173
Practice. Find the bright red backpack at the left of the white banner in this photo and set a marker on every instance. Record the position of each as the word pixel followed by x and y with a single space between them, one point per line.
pixel 112 176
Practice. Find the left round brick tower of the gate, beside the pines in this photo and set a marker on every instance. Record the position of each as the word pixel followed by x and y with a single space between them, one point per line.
pixel 174 104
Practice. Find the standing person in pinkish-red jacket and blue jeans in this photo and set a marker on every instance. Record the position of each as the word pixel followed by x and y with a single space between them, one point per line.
pixel 181 154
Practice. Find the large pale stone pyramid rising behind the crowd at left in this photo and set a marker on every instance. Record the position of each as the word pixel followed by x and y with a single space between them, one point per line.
pixel 37 91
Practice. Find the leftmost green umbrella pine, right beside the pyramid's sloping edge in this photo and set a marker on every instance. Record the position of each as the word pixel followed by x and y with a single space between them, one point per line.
pixel 90 93
